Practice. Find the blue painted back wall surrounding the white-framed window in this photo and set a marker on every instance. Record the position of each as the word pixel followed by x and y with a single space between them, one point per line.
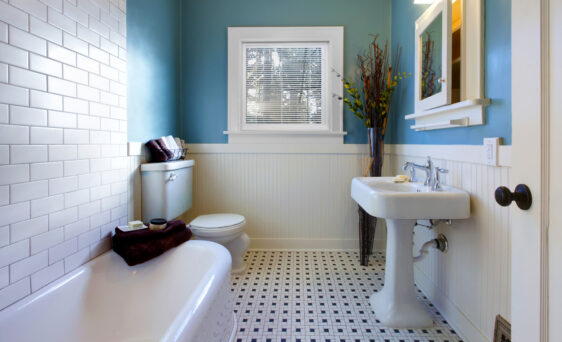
pixel 204 54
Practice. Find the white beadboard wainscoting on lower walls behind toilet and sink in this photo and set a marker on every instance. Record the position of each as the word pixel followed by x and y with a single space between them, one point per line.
pixel 298 196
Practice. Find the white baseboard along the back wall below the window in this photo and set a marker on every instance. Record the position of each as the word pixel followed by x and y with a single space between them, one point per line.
pixel 310 244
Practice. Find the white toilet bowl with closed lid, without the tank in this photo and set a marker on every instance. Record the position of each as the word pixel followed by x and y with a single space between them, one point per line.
pixel 226 229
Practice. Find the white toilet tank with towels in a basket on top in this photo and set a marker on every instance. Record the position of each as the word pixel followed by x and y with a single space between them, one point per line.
pixel 166 189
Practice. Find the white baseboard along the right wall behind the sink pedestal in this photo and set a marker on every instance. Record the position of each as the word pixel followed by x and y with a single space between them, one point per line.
pixel 454 316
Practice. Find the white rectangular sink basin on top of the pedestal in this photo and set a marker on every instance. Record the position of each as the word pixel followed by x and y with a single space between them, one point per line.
pixel 380 197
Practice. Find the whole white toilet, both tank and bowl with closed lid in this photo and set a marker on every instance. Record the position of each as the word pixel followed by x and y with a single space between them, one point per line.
pixel 167 192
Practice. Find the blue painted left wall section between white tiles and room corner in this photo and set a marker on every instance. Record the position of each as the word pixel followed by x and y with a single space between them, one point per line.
pixel 153 51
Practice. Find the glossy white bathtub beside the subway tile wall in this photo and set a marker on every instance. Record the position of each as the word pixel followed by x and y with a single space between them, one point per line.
pixel 183 295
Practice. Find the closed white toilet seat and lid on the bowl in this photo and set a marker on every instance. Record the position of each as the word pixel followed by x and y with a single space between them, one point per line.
pixel 217 224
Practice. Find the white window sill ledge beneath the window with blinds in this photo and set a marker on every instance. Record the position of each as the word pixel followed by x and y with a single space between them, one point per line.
pixel 282 137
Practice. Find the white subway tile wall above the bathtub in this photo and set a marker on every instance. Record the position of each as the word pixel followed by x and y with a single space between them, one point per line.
pixel 63 156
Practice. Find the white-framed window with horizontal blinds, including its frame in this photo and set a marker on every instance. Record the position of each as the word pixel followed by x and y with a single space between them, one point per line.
pixel 282 85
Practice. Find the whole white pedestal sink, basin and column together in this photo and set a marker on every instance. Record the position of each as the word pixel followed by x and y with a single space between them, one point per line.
pixel 401 204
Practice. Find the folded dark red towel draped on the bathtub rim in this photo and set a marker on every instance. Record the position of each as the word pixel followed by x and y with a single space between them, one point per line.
pixel 138 246
